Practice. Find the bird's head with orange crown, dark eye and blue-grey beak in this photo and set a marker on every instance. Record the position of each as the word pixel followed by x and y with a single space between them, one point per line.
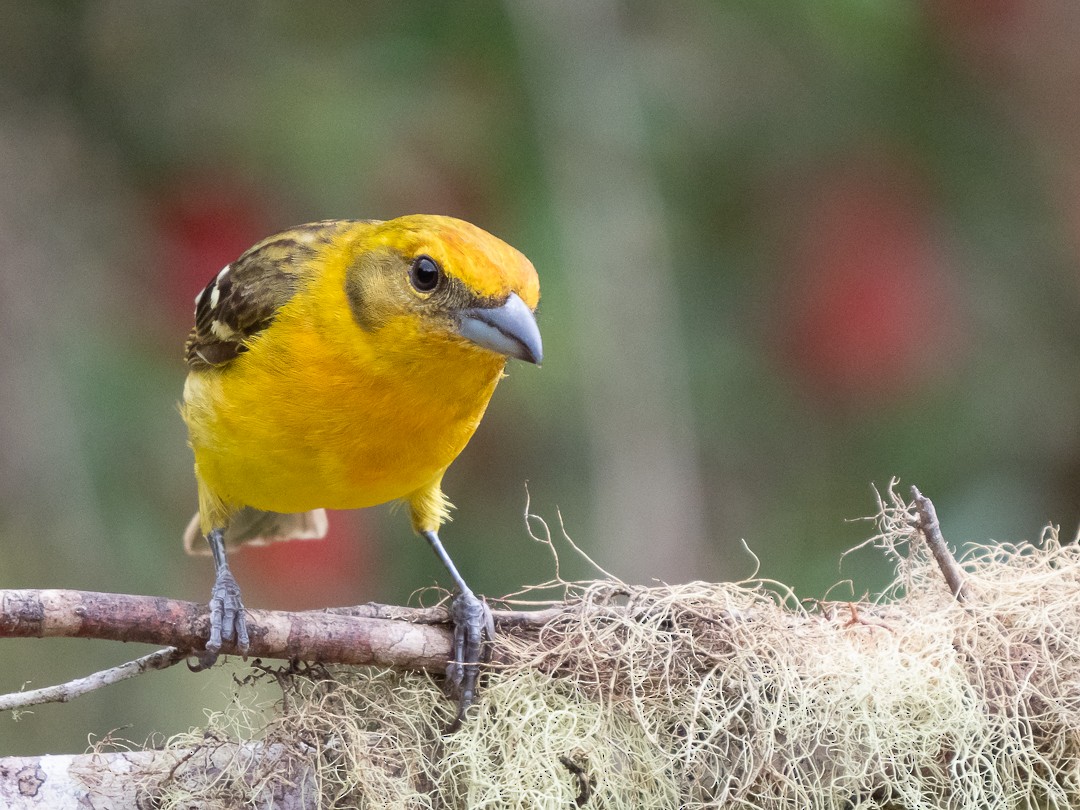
pixel 443 280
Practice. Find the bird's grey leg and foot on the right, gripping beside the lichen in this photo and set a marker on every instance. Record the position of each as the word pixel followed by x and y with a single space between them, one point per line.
pixel 474 626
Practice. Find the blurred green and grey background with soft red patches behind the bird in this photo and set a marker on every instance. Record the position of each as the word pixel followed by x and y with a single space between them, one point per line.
pixel 788 252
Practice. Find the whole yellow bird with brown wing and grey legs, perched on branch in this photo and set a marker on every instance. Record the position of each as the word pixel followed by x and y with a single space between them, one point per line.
pixel 344 364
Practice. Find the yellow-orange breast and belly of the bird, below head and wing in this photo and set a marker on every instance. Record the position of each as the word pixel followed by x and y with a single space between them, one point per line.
pixel 290 430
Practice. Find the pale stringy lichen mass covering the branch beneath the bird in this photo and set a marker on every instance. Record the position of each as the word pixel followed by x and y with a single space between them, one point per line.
pixel 957 688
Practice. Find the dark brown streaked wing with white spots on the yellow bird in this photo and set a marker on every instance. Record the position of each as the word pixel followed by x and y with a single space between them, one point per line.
pixel 245 298
